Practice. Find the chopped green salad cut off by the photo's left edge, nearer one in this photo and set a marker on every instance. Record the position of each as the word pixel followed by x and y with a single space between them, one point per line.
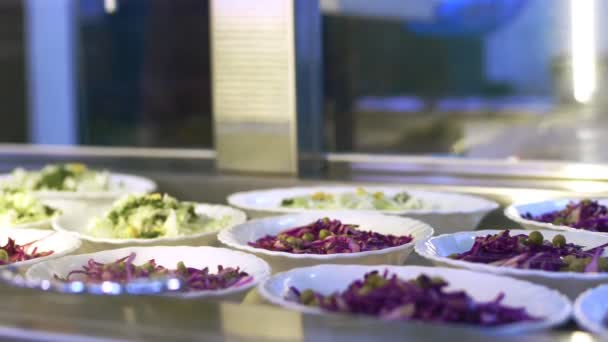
pixel 20 208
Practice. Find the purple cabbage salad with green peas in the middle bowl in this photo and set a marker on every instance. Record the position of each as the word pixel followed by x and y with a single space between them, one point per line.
pixel 327 236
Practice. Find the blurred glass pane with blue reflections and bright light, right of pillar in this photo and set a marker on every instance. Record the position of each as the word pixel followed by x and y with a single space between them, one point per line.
pixel 472 78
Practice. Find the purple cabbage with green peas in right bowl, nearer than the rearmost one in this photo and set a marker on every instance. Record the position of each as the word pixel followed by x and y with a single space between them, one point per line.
pixel 535 253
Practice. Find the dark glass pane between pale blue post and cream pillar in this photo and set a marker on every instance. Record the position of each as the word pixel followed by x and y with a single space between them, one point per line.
pixel 144 73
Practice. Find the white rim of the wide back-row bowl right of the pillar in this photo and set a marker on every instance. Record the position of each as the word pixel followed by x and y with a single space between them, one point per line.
pixel 237 199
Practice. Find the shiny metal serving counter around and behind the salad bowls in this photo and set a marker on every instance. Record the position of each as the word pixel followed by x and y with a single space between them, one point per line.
pixel 32 314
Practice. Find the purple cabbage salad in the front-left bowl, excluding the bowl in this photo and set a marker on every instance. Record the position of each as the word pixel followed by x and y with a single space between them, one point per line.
pixel 123 270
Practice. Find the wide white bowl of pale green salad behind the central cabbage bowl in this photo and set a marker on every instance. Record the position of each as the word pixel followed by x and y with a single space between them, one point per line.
pixel 446 212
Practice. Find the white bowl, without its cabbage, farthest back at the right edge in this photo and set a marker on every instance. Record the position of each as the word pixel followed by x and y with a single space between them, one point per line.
pixel 516 211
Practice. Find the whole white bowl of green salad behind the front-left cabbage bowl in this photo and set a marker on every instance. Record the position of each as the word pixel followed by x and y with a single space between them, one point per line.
pixel 152 219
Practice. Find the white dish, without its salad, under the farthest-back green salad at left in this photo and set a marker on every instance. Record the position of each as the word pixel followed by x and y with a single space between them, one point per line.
pixel 120 184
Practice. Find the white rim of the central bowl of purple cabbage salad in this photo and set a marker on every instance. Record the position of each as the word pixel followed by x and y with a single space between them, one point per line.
pixel 226 236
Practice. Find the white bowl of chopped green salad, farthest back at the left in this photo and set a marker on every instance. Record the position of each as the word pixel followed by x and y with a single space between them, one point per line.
pixel 74 181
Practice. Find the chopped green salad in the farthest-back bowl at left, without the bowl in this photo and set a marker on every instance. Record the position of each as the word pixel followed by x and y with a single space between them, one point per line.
pixel 59 177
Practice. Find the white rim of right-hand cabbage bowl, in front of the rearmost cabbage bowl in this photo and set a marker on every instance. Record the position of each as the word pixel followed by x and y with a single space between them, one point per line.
pixel 422 248
